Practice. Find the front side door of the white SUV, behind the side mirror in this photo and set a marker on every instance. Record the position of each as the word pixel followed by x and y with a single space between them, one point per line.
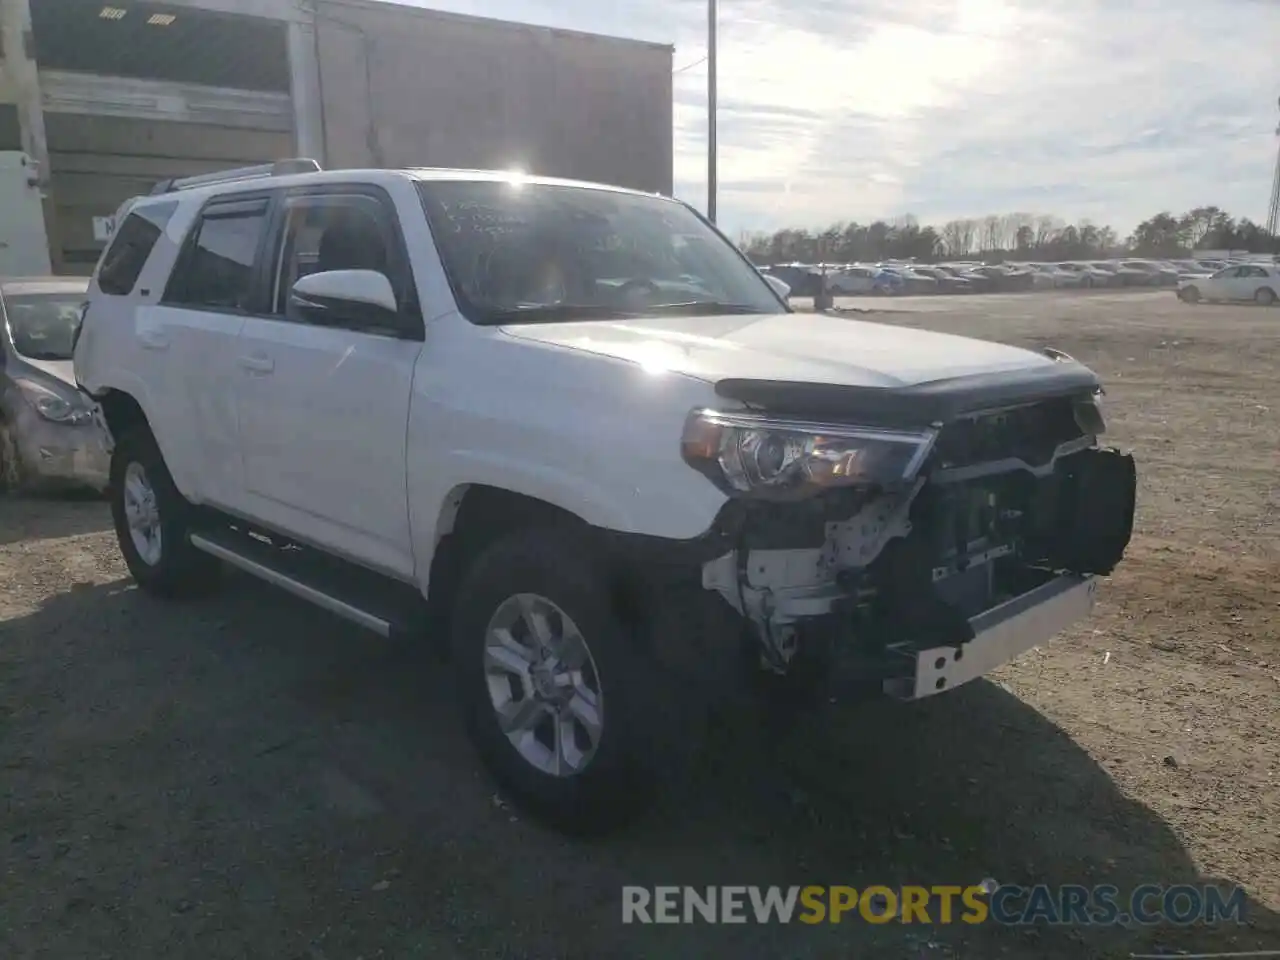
pixel 324 409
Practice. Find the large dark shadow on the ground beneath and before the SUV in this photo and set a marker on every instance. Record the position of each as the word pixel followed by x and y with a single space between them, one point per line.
pixel 259 779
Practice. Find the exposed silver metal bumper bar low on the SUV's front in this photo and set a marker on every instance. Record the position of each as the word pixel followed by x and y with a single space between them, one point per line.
pixel 999 636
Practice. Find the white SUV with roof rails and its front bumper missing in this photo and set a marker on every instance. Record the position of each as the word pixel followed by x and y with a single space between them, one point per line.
pixel 574 429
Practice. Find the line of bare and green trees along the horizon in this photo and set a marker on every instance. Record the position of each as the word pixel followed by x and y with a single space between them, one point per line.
pixel 1013 237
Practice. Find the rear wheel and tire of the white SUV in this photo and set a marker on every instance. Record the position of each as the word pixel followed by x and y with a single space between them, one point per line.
pixel 153 522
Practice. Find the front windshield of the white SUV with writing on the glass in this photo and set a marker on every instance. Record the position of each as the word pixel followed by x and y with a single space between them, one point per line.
pixel 528 252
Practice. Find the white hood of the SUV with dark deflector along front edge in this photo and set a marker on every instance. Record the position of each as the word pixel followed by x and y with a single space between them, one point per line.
pixel 817 360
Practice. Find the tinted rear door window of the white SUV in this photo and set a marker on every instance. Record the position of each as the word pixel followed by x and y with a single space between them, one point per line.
pixel 217 268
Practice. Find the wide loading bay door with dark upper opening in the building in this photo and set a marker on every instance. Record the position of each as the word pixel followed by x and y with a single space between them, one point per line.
pixel 148 94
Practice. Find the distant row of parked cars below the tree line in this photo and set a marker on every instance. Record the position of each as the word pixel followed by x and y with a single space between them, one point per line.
pixel 906 277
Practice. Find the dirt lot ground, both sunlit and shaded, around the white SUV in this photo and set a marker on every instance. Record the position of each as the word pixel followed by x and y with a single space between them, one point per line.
pixel 249 778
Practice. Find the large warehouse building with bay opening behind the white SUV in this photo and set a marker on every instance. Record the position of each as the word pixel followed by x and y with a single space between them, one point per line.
pixel 106 98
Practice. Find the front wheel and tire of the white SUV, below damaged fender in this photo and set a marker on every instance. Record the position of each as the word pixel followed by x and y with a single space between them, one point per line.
pixel 556 696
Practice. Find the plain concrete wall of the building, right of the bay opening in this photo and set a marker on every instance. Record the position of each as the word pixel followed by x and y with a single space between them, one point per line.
pixel 404 86
